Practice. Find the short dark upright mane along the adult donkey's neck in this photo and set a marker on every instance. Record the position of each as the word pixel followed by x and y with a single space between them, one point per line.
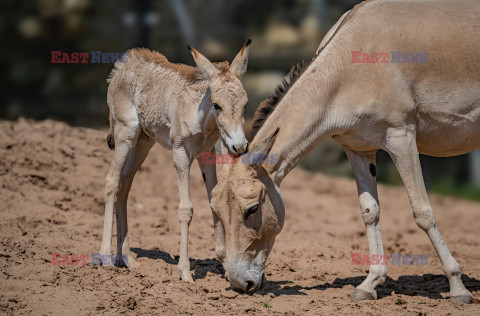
pixel 268 105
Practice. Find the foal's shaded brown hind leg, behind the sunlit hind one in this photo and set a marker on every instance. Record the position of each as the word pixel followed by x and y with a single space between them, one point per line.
pixel 137 157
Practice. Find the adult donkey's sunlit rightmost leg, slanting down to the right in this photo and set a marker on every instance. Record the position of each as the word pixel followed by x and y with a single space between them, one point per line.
pixel 402 147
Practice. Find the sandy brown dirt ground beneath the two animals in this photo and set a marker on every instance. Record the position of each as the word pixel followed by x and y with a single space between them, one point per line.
pixel 51 201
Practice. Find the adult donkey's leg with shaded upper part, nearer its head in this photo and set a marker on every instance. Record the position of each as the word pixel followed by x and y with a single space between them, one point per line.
pixel 364 170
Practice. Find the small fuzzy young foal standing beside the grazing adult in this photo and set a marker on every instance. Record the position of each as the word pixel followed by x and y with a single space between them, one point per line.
pixel 184 109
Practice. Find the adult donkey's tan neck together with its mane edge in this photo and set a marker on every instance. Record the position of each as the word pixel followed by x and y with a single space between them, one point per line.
pixel 305 114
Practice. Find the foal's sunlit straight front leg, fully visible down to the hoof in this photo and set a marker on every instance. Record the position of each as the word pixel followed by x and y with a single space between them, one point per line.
pixel 182 161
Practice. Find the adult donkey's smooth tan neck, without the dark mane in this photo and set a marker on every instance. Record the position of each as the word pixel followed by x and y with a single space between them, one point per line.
pixel 303 116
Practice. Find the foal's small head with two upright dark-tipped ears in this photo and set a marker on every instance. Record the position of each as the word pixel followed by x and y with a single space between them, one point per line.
pixel 227 95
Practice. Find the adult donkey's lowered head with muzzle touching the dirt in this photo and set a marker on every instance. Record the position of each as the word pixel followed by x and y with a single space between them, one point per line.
pixel 251 210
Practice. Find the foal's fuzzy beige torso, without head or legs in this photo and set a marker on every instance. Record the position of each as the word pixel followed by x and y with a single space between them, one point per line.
pixel 160 93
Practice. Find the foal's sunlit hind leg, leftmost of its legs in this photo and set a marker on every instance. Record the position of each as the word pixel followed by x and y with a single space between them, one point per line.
pixel 126 133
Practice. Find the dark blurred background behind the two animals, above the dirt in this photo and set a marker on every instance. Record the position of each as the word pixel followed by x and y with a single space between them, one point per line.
pixel 283 33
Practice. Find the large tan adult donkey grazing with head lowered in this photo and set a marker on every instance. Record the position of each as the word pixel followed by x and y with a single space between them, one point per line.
pixel 403 108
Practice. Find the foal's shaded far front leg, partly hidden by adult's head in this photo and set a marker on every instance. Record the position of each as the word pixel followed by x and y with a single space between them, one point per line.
pixel 209 174
